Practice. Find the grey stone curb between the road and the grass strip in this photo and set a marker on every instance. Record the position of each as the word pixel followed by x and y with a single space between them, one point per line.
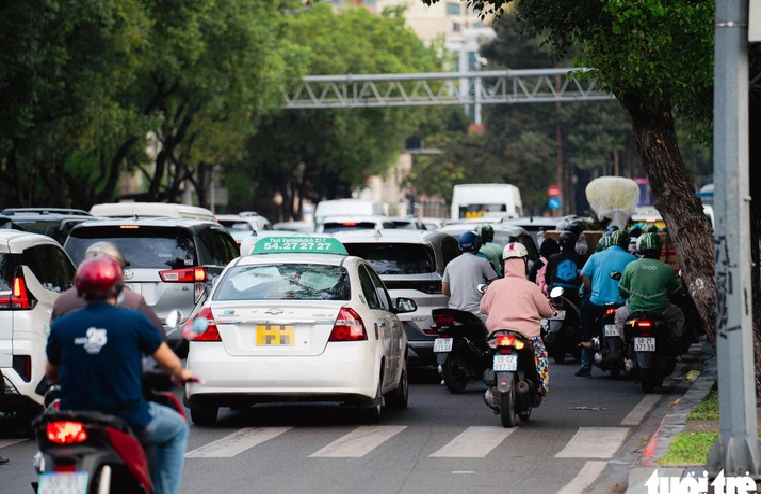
pixel 671 425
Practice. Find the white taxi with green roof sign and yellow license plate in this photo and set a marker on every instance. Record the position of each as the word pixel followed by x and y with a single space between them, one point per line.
pixel 298 320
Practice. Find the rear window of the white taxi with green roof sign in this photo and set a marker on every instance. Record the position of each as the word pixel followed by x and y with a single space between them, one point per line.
pixel 284 282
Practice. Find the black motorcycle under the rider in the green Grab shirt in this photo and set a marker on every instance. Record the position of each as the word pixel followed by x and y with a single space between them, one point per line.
pixel 653 355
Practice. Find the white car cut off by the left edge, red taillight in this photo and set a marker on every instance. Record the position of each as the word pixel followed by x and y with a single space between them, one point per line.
pixel 34 271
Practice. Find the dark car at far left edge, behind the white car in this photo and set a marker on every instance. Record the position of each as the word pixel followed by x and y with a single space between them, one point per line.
pixel 53 222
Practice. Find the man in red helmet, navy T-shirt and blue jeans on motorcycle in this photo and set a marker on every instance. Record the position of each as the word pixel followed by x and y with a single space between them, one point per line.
pixel 96 353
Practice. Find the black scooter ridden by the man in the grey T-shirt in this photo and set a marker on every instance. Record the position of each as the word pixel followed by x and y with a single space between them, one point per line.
pixel 461 349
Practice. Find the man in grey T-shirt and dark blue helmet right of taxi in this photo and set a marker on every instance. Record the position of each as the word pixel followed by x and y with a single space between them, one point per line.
pixel 464 273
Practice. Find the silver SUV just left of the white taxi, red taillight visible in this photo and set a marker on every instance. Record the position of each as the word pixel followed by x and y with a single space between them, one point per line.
pixel 169 260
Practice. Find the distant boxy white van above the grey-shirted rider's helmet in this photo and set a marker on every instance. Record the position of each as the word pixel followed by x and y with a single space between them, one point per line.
pixel 496 200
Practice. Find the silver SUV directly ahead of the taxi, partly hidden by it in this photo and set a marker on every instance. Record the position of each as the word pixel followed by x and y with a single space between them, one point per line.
pixel 411 264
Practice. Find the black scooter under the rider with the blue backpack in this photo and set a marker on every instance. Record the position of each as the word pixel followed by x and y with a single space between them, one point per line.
pixel 563 329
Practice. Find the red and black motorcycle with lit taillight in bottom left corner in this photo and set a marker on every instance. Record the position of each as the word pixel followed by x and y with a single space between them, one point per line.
pixel 92 452
